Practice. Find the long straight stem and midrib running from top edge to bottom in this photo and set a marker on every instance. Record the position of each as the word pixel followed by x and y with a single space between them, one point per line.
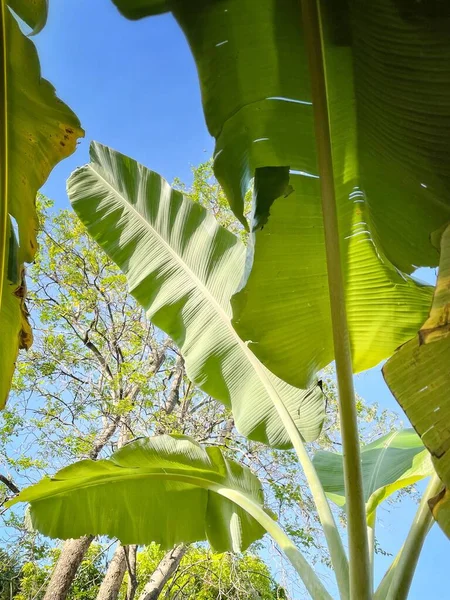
pixel 360 578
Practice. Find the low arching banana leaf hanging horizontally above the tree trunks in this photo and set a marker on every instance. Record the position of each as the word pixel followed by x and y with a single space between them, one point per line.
pixel 164 489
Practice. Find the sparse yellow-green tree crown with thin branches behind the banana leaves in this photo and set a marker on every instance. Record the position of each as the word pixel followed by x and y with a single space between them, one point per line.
pixel 79 296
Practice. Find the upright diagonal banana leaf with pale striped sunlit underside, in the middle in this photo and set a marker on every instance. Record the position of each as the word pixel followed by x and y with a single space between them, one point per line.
pixel 183 268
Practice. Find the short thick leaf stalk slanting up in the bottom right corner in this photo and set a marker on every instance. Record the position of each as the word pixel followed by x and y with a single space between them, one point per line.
pixel 409 555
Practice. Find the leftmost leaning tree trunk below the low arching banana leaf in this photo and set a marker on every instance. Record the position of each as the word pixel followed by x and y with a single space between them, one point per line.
pixel 72 554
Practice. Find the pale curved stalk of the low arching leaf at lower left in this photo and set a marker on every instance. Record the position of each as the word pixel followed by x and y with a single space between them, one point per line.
pixel 298 561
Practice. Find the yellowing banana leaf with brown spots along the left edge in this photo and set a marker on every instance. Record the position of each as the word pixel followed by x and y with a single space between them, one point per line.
pixel 37 130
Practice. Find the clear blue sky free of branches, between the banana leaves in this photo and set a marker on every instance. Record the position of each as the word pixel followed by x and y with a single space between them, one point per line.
pixel 134 87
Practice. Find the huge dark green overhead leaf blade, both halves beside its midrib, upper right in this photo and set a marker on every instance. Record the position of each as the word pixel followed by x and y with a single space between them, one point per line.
pixel 390 124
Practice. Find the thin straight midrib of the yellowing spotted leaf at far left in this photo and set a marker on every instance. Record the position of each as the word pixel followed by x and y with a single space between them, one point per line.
pixel 3 148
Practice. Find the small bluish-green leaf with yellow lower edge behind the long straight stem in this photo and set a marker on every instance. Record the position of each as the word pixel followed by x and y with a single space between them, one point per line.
pixel 390 463
